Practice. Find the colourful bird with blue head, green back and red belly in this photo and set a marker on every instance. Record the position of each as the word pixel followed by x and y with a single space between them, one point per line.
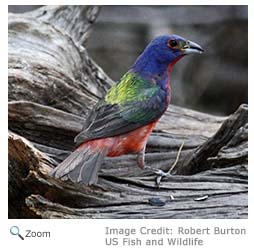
pixel 121 122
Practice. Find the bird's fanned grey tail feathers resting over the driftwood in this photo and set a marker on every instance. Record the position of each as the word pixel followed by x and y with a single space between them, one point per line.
pixel 81 166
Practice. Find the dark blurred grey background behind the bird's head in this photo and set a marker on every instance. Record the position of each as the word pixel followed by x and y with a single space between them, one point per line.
pixel 215 82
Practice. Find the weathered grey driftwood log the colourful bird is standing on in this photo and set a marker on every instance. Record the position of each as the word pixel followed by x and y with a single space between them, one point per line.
pixel 52 86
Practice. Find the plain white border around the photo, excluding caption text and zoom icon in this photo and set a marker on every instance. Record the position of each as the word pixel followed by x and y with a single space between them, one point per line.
pixel 85 234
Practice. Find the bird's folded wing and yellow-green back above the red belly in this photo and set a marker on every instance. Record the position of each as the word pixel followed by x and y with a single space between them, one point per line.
pixel 128 105
